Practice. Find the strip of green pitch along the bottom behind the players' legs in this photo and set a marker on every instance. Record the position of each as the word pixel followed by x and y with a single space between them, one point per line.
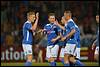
pixel 47 64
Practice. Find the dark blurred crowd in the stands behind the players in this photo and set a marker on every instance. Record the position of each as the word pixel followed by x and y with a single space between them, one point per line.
pixel 13 16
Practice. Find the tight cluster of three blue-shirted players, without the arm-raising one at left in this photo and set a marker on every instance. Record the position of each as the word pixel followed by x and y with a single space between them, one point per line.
pixel 67 35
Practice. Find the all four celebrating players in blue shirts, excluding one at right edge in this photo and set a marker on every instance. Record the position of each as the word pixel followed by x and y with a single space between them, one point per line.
pixel 65 33
